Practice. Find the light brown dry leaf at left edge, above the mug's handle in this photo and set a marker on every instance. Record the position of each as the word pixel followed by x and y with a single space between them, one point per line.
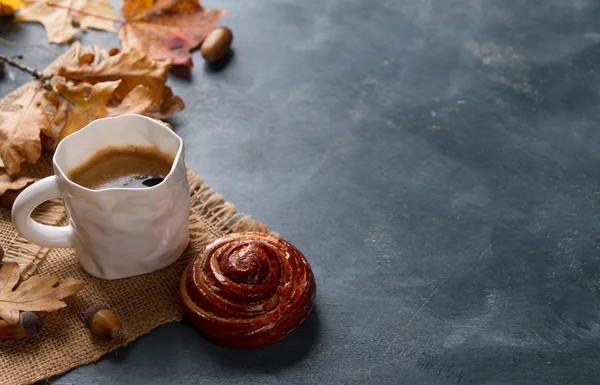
pixel 20 127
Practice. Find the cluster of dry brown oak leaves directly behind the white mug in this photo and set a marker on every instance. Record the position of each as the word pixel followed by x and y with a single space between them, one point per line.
pixel 91 84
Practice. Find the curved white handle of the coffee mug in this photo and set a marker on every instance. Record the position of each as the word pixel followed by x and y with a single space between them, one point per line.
pixel 26 202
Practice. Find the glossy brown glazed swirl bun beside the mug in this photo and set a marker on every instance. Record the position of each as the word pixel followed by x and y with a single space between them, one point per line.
pixel 248 289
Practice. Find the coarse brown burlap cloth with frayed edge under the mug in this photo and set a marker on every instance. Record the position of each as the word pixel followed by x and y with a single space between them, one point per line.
pixel 142 303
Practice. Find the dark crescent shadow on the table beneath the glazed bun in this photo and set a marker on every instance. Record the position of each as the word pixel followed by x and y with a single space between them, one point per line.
pixel 271 358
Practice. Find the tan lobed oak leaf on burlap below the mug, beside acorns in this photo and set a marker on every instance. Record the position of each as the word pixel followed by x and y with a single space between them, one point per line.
pixel 35 294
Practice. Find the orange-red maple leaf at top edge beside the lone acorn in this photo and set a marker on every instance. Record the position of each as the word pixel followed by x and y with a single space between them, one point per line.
pixel 167 29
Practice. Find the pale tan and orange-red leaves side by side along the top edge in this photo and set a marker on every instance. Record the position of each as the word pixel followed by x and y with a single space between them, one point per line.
pixel 160 29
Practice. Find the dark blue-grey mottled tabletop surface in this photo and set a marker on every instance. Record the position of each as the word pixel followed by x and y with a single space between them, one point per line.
pixel 436 161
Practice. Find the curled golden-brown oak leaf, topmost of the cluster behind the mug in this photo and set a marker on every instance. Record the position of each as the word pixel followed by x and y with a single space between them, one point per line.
pixel 133 68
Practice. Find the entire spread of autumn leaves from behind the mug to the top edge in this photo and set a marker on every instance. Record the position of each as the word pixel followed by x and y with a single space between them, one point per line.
pixel 93 83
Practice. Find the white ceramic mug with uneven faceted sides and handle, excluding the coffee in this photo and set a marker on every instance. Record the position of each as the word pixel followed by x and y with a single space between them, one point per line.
pixel 116 232
